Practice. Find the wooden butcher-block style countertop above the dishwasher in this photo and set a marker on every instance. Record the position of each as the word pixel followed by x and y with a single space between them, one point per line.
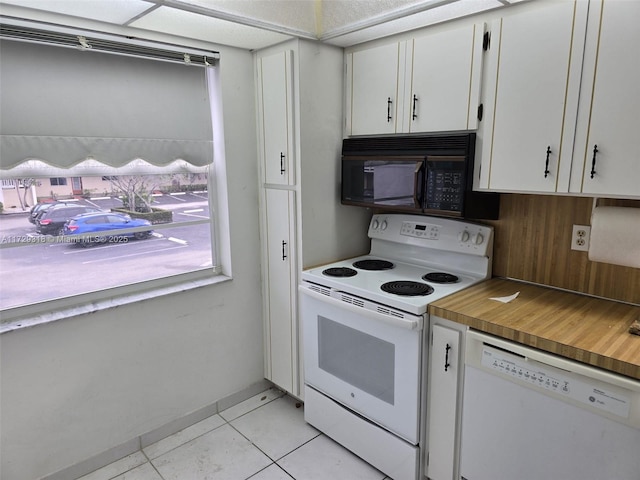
pixel 579 327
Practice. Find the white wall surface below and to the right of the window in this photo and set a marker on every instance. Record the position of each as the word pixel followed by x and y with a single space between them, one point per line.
pixel 78 387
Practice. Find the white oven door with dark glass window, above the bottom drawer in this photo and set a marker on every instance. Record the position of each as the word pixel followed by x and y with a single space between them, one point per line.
pixel 366 360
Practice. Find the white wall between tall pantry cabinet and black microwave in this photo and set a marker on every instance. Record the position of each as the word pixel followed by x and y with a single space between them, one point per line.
pixel 330 231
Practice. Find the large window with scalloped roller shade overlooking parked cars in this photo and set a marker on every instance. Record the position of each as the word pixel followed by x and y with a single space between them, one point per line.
pixel 121 202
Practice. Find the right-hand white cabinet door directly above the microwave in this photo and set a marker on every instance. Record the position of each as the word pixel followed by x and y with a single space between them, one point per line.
pixel 441 83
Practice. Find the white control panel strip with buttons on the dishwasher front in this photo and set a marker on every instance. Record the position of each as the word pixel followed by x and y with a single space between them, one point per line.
pixel 589 392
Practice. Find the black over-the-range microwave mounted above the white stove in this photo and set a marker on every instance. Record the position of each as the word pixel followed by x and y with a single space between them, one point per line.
pixel 426 174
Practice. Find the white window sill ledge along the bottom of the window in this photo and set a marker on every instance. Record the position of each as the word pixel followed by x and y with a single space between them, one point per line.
pixel 90 306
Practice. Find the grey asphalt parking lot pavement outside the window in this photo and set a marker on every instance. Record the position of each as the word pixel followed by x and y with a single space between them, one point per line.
pixel 40 268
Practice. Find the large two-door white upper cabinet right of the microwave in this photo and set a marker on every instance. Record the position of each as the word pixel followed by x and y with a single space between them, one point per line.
pixel 561 100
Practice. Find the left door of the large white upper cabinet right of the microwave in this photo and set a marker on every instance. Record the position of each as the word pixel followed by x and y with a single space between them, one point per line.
pixel 534 102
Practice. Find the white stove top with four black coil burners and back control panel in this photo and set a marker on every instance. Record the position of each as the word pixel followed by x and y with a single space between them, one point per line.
pixel 414 260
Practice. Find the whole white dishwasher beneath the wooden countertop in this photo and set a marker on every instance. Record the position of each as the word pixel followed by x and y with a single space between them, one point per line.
pixel 530 415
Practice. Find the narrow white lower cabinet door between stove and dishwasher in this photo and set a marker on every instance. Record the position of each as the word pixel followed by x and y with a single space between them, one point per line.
pixel 444 373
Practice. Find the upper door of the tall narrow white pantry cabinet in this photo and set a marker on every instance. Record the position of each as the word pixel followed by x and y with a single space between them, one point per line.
pixel 276 118
